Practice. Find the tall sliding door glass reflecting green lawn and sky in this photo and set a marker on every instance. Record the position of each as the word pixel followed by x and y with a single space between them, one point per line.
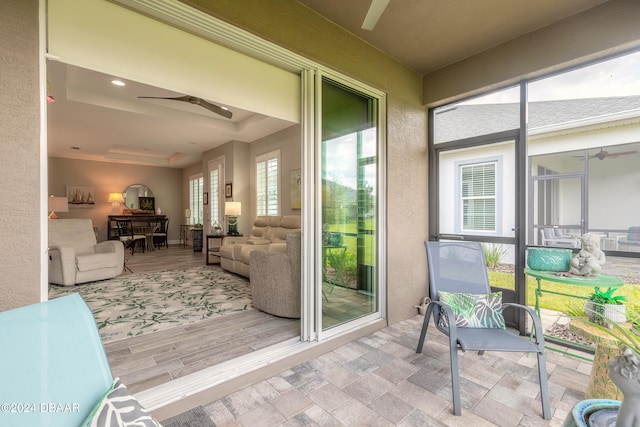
pixel 349 204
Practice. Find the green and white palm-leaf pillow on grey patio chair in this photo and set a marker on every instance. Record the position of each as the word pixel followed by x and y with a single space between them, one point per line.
pixel 474 310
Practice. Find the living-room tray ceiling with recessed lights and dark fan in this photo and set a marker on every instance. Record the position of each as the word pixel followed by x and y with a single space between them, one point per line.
pixel 110 123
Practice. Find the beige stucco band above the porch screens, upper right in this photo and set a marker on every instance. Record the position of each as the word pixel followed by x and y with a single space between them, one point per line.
pixel 603 30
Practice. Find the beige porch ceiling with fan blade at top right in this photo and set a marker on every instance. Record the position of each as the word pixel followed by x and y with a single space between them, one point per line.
pixel 427 35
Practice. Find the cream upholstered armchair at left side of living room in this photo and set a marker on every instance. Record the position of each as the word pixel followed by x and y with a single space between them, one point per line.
pixel 75 256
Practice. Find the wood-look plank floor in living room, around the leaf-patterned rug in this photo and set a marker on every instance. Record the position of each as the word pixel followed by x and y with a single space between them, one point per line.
pixel 153 359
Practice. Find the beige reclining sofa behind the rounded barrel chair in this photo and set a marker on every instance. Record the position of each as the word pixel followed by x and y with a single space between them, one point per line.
pixel 269 233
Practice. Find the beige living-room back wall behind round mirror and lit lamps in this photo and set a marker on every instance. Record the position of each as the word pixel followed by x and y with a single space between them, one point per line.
pixel 105 178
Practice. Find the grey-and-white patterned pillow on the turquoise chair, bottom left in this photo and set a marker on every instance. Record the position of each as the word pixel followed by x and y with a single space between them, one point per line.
pixel 118 408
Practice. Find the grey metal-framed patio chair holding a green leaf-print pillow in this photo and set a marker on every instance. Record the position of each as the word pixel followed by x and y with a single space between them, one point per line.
pixel 457 272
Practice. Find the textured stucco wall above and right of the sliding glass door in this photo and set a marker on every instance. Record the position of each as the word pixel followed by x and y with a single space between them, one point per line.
pixel 301 30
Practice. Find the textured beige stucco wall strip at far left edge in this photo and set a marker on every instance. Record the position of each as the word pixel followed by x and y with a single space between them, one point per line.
pixel 20 159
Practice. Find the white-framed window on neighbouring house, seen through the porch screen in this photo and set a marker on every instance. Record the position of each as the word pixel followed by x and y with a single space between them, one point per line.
pixel 478 193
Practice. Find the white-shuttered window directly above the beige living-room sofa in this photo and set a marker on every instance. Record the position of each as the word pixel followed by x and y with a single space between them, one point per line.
pixel 267 179
